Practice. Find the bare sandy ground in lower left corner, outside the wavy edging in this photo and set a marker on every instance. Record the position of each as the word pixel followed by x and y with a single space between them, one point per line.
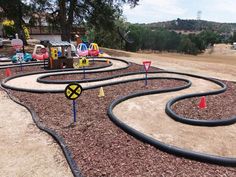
pixel 25 150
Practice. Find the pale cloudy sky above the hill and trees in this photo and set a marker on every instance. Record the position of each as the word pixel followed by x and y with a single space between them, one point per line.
pixel 149 11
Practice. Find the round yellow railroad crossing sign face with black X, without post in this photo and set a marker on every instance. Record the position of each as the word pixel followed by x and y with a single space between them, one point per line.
pixel 73 91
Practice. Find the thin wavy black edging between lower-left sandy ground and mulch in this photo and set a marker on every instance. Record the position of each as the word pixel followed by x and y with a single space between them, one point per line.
pixel 60 141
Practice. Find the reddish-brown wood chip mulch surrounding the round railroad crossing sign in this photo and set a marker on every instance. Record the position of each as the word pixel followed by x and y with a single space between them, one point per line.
pixel 100 148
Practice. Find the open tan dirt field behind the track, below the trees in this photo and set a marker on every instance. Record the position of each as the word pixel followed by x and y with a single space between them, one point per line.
pixel 220 63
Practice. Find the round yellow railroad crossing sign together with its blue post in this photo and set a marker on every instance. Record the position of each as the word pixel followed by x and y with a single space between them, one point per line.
pixel 72 92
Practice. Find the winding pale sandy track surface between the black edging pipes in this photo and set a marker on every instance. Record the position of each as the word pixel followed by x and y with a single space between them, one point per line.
pixel 211 144
